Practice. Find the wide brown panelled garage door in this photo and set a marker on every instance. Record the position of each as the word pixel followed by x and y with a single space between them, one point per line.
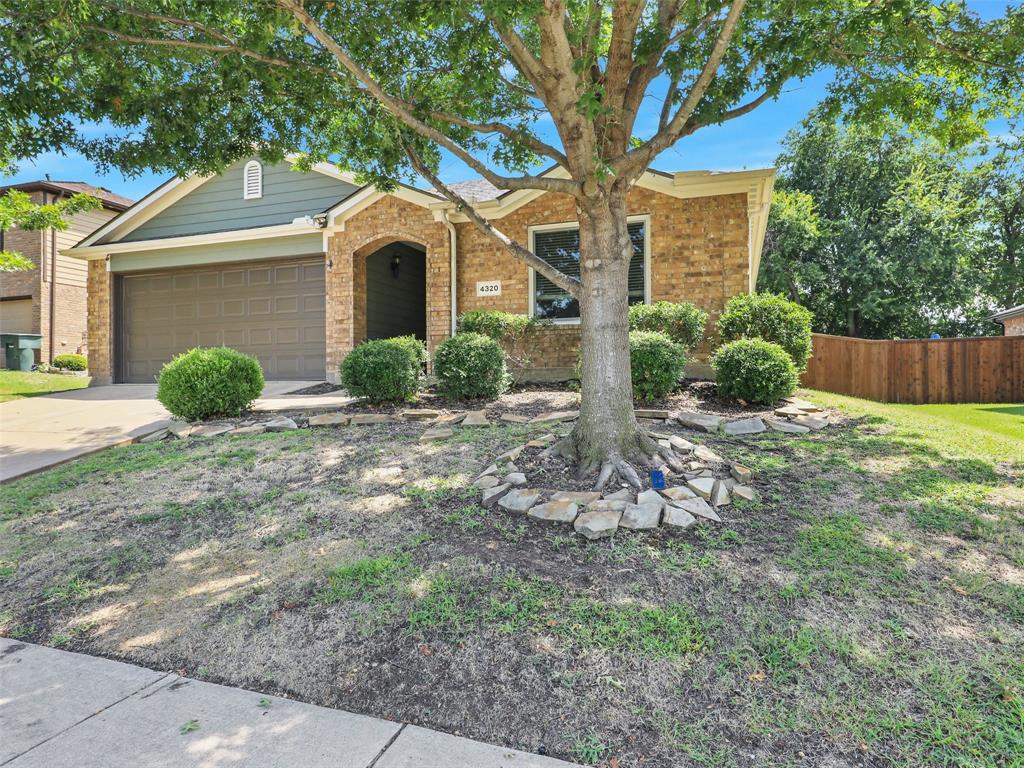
pixel 274 311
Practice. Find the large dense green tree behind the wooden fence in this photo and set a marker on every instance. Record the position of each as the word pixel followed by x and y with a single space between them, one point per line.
pixel 876 233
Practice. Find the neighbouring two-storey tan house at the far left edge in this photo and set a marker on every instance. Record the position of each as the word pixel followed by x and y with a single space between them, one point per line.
pixel 52 300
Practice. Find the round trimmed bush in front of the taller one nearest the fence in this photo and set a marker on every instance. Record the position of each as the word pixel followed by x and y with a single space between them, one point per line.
pixel 754 370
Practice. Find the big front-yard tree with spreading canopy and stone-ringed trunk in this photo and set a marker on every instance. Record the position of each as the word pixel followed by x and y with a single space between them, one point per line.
pixel 391 86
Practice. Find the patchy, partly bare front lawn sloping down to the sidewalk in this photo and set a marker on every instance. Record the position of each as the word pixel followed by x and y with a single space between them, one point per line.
pixel 868 611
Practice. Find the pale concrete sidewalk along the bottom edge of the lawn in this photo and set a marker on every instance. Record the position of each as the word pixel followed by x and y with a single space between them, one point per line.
pixel 61 710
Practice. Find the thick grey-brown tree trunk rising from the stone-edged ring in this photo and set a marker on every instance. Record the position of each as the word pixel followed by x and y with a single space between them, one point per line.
pixel 607 435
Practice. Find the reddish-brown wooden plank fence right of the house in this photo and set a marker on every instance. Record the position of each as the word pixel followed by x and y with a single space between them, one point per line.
pixel 977 370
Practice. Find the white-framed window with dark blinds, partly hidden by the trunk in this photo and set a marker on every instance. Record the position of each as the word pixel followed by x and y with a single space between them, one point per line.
pixel 561 248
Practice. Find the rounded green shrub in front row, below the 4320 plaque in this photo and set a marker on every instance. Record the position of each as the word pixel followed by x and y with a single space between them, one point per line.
pixel 472 365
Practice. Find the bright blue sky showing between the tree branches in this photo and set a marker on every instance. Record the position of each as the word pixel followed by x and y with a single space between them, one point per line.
pixel 751 142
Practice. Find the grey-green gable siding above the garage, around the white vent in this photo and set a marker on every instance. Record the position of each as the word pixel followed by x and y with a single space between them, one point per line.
pixel 218 205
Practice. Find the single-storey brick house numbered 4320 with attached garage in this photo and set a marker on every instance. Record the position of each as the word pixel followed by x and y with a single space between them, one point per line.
pixel 300 269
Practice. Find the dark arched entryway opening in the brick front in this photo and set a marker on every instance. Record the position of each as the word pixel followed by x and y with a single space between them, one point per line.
pixel 397 291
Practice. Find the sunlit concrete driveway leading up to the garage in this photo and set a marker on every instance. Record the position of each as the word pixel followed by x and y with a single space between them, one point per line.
pixel 39 433
